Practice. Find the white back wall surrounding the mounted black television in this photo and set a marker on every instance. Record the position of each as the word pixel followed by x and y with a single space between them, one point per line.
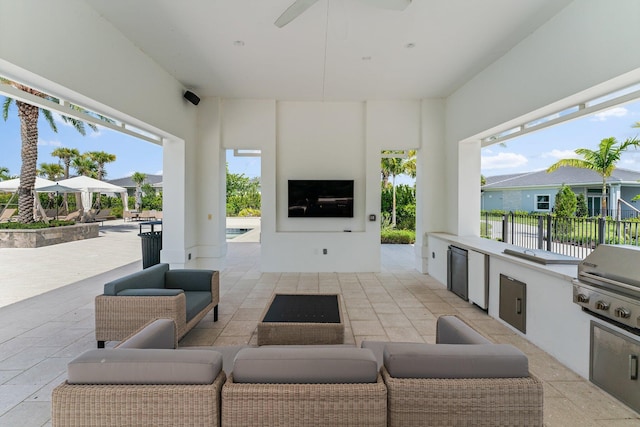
pixel 312 140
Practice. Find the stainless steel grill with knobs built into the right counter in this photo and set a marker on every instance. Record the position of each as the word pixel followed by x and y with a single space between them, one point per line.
pixel 608 285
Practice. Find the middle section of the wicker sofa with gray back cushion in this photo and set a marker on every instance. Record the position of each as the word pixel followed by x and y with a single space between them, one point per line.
pixel 304 386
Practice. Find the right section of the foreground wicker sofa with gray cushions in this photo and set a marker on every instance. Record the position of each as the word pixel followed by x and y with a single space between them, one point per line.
pixel 463 379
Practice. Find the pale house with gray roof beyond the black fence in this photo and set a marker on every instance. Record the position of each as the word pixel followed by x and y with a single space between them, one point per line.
pixel 536 191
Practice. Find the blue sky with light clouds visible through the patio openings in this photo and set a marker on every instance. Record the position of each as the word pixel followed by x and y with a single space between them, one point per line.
pixel 531 152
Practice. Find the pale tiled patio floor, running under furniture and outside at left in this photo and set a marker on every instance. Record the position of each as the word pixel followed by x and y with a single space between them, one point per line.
pixel 47 318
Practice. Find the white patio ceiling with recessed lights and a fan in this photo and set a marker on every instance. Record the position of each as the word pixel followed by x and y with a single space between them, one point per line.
pixel 336 50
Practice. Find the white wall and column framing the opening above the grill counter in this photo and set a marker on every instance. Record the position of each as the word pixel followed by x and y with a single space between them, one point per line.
pixel 588 49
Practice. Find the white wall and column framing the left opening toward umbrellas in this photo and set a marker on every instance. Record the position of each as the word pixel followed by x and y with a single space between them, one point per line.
pixel 66 48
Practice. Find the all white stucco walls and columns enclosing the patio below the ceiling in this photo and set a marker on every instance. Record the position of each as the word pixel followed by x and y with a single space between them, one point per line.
pixel 588 49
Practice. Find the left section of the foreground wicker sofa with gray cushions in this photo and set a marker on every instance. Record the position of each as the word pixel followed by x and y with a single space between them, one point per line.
pixel 131 385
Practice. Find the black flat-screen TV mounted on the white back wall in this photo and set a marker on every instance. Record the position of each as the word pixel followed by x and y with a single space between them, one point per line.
pixel 321 198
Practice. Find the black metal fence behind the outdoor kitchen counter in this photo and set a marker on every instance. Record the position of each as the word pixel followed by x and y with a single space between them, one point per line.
pixel 568 236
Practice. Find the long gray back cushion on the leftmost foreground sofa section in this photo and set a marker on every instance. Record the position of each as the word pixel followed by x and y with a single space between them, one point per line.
pixel 135 366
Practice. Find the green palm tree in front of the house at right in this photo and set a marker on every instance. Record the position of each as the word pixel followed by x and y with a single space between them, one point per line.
pixel 603 160
